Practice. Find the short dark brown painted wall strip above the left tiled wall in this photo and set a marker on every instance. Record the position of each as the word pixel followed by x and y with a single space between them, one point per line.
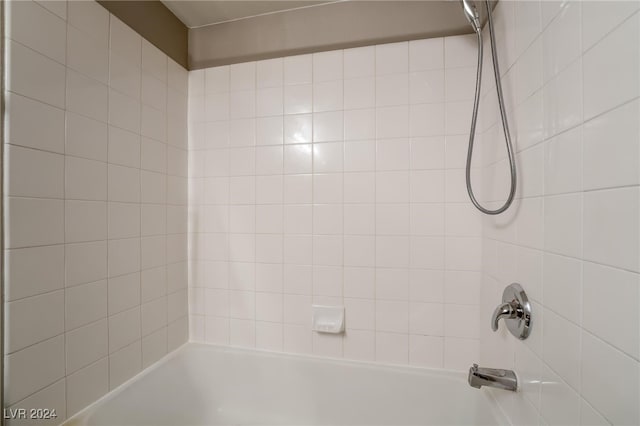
pixel 156 23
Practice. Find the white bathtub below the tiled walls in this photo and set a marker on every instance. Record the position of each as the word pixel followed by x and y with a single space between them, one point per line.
pixel 203 384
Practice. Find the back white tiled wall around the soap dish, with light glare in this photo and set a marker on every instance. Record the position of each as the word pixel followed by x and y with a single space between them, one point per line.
pixel 337 178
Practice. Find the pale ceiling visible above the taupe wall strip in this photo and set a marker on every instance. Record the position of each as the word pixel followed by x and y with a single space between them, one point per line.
pixel 199 13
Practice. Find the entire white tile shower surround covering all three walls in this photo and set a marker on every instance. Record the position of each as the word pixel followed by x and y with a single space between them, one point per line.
pixel 331 178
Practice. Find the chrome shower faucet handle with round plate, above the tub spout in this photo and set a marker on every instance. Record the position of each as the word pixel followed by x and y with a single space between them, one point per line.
pixel 515 310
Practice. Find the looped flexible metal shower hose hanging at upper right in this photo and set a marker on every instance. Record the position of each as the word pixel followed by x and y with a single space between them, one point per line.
pixel 503 114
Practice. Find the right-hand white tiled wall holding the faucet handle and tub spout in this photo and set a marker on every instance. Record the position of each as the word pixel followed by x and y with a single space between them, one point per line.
pixel 572 79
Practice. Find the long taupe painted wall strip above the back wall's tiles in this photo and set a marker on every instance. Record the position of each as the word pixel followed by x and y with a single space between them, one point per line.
pixel 330 26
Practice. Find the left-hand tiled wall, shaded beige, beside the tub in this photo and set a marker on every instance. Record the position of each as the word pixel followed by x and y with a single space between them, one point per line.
pixel 96 186
